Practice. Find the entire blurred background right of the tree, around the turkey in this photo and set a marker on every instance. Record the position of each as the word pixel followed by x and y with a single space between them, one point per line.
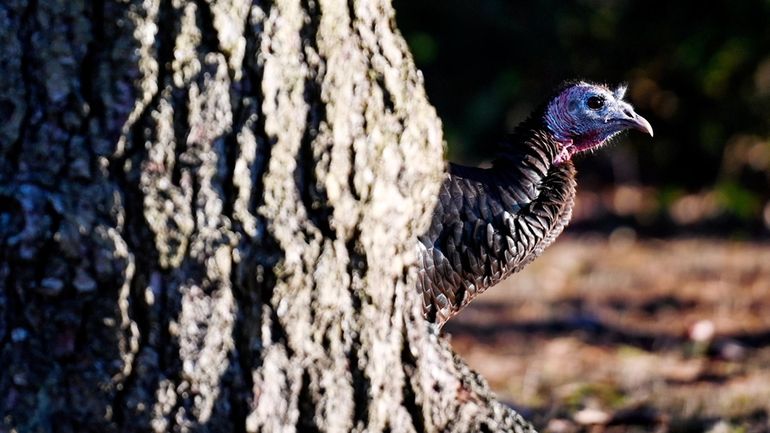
pixel 652 311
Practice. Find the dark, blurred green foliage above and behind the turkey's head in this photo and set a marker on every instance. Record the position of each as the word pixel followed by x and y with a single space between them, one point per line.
pixel 699 72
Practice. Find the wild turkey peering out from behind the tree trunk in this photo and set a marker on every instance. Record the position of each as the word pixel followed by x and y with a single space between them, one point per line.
pixel 489 223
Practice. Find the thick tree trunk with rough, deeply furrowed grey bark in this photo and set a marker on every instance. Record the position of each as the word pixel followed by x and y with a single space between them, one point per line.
pixel 208 213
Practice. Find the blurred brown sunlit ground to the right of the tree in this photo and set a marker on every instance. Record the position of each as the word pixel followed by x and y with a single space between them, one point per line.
pixel 615 334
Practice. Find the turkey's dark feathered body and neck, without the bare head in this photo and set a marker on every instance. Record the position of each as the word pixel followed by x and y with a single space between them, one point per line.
pixel 490 223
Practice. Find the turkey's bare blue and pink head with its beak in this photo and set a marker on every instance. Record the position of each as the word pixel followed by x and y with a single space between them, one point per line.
pixel 585 116
